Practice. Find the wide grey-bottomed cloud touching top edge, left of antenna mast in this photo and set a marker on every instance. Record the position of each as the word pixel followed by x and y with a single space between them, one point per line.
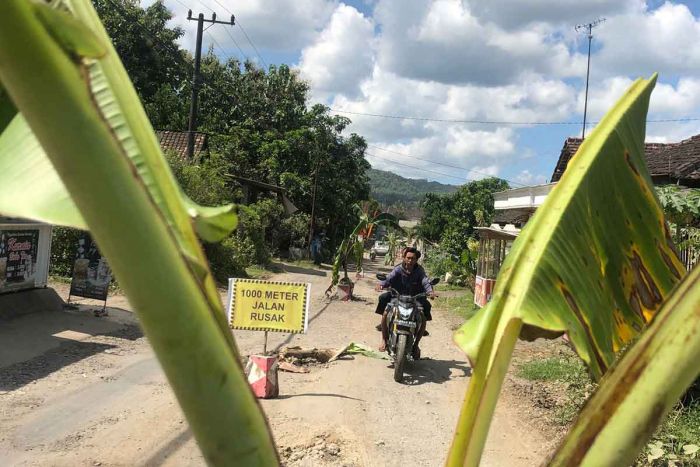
pixel 443 41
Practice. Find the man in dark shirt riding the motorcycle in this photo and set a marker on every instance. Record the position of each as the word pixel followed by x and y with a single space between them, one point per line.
pixel 408 278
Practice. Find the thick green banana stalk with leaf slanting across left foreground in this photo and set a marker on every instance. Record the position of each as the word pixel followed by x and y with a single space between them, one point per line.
pixel 77 149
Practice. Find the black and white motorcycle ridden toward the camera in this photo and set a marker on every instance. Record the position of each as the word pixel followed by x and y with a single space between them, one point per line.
pixel 403 321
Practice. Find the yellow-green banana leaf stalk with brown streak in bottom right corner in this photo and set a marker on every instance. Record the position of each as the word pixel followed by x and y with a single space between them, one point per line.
pixel 637 393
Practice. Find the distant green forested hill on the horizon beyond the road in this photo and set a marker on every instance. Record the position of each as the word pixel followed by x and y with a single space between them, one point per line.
pixel 398 194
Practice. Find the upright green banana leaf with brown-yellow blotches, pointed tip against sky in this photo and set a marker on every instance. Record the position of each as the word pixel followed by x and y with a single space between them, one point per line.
pixel 595 262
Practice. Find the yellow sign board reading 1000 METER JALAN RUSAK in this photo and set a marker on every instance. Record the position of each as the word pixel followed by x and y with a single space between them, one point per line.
pixel 259 305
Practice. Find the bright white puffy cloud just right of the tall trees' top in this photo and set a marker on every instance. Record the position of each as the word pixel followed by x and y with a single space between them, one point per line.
pixel 341 57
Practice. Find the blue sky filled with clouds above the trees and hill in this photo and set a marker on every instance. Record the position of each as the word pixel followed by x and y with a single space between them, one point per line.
pixel 507 64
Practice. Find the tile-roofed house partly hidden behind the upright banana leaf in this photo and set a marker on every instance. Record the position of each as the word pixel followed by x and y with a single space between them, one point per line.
pixel 668 163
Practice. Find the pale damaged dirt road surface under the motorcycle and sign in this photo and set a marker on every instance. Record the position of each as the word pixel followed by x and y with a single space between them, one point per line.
pixel 76 389
